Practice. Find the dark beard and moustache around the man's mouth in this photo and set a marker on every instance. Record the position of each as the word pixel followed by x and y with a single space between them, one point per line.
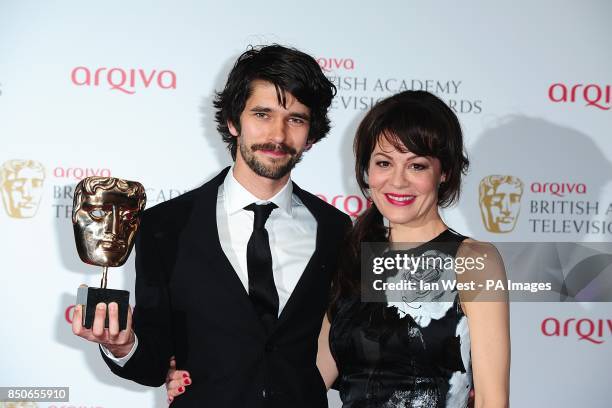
pixel 274 171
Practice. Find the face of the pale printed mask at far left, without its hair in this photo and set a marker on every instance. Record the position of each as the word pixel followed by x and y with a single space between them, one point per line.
pixel 22 192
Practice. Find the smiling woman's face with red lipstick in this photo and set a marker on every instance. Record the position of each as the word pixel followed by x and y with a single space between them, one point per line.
pixel 404 186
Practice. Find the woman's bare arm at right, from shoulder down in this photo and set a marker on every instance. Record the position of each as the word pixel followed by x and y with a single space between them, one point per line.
pixel 489 325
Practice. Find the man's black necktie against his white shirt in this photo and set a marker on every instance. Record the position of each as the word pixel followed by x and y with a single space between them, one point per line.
pixel 262 290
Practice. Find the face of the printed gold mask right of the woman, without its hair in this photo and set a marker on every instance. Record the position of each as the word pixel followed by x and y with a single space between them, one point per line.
pixel 501 207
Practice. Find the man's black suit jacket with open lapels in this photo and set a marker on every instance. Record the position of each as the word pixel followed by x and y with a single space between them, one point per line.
pixel 190 303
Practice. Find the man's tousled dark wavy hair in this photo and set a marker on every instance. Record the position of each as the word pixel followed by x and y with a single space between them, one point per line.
pixel 289 70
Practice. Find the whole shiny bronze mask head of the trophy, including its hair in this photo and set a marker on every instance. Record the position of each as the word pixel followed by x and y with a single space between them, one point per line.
pixel 105 217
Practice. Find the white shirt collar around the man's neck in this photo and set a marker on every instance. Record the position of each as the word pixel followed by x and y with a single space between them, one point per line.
pixel 237 197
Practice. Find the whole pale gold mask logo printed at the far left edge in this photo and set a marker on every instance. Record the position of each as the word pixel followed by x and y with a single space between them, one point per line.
pixel 22 187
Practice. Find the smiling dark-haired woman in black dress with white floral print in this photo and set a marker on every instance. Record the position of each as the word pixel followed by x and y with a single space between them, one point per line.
pixel 403 352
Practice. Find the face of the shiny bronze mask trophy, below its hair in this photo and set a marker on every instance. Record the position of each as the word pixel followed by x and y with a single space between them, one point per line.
pixel 105 227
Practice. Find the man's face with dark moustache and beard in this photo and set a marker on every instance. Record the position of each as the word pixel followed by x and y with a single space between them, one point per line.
pixel 272 138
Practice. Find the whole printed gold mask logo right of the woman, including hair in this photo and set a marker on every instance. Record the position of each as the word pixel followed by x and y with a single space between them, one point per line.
pixel 500 202
